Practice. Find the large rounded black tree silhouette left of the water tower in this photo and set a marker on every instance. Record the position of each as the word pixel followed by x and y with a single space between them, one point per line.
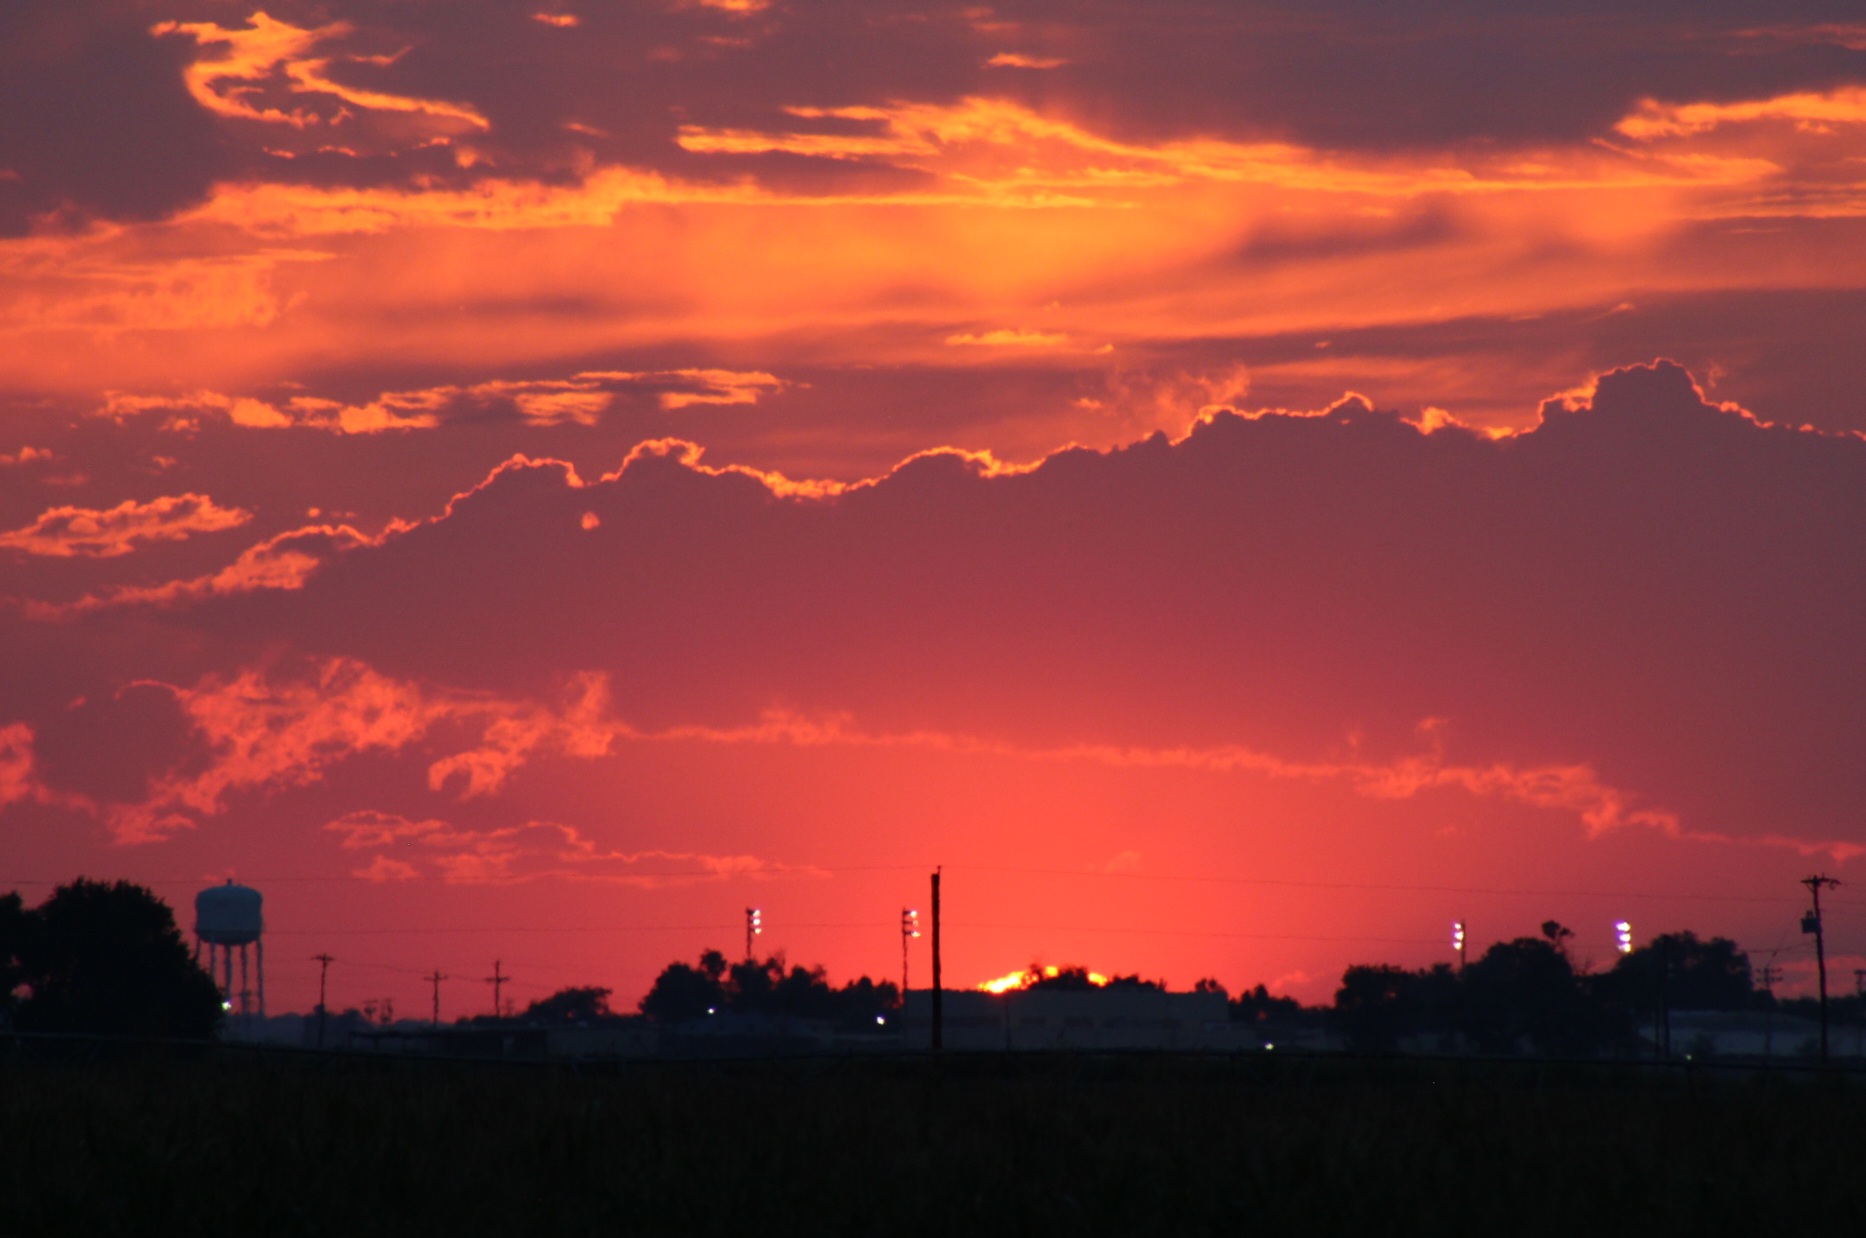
pixel 109 959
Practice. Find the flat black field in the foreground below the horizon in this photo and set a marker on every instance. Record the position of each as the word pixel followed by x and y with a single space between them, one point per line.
pixel 1029 1146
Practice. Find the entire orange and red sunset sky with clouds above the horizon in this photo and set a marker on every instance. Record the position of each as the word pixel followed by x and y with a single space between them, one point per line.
pixel 1240 485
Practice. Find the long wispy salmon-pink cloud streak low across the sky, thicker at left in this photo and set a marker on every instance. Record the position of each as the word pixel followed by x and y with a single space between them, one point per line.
pixel 270 733
